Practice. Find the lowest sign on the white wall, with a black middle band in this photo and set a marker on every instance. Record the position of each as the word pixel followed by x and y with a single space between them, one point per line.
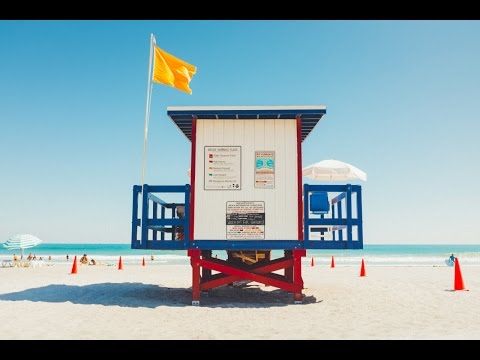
pixel 245 220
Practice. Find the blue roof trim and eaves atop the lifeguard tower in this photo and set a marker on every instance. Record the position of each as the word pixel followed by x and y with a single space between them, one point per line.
pixel 183 118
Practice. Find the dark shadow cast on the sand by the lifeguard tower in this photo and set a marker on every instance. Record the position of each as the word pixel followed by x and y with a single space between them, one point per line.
pixel 151 296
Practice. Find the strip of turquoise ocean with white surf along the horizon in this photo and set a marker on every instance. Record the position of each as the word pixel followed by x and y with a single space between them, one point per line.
pixel 392 255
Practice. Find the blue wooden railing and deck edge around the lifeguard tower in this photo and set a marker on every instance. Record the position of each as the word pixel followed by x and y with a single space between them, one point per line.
pixel 158 223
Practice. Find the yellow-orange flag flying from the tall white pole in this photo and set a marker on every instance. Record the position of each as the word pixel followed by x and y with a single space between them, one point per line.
pixel 169 70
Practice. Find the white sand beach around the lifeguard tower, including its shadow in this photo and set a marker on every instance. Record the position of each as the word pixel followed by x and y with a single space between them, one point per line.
pixel 153 302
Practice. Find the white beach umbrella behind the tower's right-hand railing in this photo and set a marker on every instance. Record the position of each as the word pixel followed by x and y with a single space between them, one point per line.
pixel 333 170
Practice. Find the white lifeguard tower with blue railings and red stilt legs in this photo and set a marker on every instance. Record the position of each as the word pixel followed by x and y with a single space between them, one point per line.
pixel 246 197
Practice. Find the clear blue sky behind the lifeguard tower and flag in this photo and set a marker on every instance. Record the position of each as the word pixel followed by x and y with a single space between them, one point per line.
pixel 402 102
